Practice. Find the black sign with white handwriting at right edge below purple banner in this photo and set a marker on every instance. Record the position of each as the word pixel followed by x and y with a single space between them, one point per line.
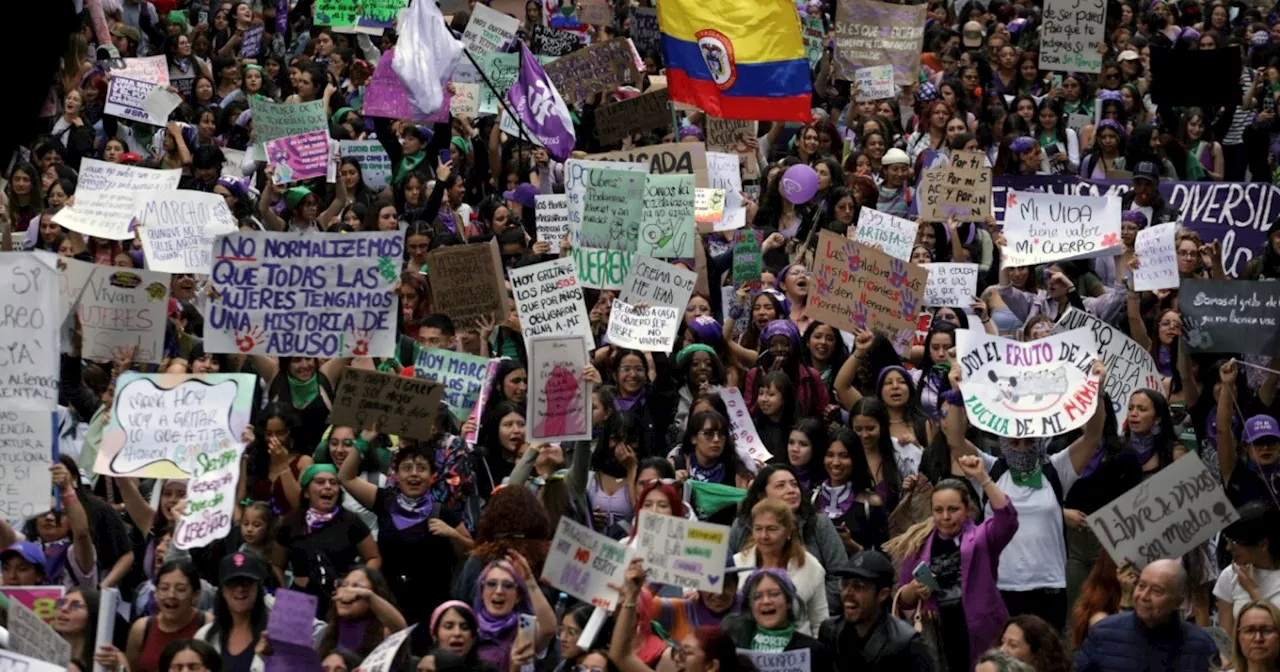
pixel 1232 317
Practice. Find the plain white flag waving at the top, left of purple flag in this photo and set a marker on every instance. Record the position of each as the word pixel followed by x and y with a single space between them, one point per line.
pixel 426 57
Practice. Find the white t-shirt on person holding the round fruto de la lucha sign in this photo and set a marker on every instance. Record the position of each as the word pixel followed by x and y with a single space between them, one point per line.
pixel 1037 555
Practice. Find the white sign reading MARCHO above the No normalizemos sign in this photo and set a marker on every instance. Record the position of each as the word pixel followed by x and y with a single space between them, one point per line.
pixel 179 230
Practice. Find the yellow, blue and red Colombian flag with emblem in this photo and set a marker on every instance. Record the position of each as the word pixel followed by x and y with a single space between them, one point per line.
pixel 737 60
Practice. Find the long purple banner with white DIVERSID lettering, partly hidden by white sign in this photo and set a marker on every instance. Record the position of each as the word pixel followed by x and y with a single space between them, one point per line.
pixel 1235 213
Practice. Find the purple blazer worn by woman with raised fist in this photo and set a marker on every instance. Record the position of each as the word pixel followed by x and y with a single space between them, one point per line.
pixel 980 564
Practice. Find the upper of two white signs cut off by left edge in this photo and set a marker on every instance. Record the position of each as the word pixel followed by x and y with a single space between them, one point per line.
pixel 30 318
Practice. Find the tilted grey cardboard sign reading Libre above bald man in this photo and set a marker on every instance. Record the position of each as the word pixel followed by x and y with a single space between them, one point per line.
pixel 1167 516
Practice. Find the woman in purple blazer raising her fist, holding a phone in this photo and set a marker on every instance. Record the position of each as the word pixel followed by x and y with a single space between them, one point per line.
pixel 961 561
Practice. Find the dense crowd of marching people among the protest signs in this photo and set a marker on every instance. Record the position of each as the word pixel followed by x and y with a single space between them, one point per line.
pixel 886 533
